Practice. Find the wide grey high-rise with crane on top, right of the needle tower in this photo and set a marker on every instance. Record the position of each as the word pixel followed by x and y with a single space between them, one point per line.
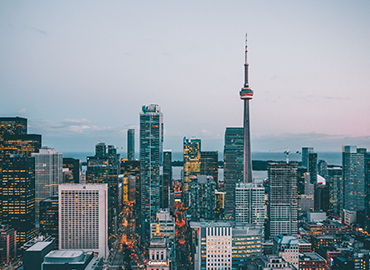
pixel 282 199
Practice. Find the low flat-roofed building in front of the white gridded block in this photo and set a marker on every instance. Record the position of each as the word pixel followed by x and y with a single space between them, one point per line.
pixel 71 260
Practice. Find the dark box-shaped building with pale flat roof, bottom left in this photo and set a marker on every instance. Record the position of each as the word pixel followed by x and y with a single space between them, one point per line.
pixel 34 255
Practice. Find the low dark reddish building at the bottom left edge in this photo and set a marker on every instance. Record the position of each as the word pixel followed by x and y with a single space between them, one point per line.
pixel 8 244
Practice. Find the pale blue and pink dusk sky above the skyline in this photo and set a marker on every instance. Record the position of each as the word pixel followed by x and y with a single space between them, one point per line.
pixel 80 71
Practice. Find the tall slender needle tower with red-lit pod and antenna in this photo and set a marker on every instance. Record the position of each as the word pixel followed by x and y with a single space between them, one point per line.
pixel 246 93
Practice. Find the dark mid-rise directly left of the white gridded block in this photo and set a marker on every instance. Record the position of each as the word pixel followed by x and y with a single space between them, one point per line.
pixel 49 217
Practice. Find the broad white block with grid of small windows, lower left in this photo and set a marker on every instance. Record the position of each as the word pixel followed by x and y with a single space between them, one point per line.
pixel 83 217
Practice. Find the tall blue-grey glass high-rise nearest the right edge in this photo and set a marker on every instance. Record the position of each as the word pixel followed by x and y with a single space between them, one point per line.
pixel 353 179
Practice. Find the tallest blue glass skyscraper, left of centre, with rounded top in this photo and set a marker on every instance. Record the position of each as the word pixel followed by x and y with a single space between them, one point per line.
pixel 151 162
